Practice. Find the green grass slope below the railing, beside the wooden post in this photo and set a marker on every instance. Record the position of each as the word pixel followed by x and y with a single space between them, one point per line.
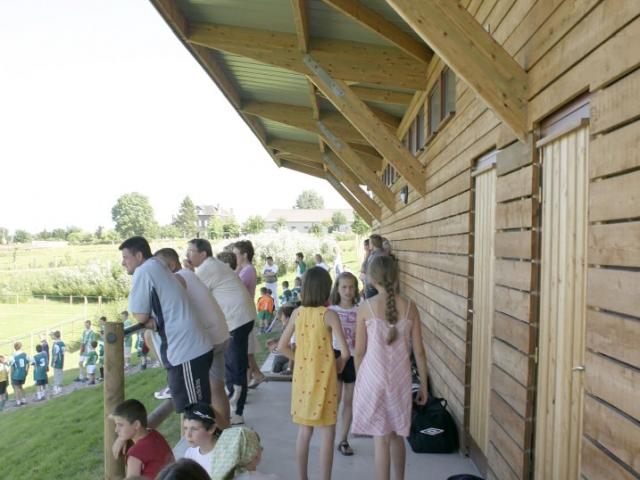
pixel 62 437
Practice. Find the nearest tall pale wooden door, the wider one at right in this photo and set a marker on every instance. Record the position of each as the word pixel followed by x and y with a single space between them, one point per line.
pixel 562 306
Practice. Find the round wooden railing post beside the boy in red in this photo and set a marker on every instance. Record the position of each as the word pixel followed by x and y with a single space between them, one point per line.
pixel 113 394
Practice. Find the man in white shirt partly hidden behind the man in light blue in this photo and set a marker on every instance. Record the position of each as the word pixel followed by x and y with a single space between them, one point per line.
pixel 213 322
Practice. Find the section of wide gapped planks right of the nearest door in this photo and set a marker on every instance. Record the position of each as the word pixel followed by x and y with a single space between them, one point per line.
pixel 611 433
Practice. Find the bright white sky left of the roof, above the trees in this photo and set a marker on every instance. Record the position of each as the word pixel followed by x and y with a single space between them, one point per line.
pixel 99 98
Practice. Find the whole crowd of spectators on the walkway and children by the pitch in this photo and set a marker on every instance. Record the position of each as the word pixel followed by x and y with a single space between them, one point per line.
pixel 348 350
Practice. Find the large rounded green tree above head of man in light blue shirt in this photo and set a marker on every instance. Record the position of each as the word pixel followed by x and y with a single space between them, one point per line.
pixel 133 215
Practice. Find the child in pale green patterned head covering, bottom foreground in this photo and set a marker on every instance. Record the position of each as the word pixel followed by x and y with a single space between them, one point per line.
pixel 238 453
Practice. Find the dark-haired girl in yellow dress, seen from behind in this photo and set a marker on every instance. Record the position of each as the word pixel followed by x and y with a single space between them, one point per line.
pixel 314 399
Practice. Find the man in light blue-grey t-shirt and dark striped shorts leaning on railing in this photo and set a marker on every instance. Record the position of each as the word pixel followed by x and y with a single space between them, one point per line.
pixel 158 301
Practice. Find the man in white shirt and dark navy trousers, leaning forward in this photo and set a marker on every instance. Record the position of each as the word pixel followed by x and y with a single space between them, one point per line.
pixel 240 312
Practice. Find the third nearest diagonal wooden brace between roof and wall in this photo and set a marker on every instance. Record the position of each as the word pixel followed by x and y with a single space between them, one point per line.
pixel 359 167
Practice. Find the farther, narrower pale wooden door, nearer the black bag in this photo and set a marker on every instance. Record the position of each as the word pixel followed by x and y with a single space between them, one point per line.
pixel 483 262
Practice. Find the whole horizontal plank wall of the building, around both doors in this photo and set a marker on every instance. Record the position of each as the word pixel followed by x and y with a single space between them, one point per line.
pixel 568 47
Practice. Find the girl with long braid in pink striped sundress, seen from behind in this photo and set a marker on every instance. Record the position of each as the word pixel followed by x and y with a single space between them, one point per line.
pixel 387 330
